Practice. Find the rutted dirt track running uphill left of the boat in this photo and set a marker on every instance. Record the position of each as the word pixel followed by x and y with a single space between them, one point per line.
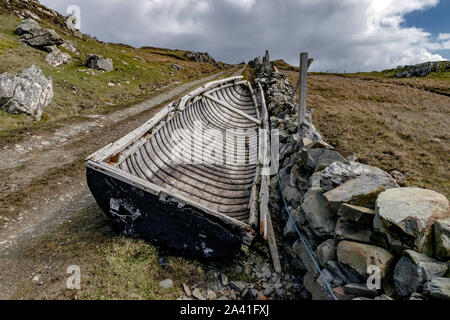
pixel 43 190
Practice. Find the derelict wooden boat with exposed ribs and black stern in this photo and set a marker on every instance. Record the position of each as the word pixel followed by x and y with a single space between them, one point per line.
pixel 198 204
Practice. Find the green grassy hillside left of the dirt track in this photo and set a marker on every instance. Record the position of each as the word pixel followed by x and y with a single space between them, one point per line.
pixel 138 73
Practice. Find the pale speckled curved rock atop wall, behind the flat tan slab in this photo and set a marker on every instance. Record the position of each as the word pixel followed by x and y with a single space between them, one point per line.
pixel 340 172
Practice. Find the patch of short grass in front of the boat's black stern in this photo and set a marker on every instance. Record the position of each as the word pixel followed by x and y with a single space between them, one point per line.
pixel 112 267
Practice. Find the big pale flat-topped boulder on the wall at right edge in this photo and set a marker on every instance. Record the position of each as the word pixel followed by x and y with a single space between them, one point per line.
pixel 407 215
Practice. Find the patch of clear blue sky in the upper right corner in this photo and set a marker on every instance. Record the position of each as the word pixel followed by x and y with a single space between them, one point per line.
pixel 434 20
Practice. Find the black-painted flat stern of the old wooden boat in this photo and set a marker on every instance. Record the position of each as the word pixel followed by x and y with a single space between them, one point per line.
pixel 183 230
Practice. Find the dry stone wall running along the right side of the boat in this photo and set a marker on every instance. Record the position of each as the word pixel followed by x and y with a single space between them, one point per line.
pixel 359 224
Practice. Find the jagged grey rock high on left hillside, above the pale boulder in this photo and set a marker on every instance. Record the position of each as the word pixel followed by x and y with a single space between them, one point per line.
pixel 31 33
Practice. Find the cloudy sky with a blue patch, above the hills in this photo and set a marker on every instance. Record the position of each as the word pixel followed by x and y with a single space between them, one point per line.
pixel 341 35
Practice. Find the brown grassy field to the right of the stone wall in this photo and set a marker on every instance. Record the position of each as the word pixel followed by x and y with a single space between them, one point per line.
pixel 386 123
